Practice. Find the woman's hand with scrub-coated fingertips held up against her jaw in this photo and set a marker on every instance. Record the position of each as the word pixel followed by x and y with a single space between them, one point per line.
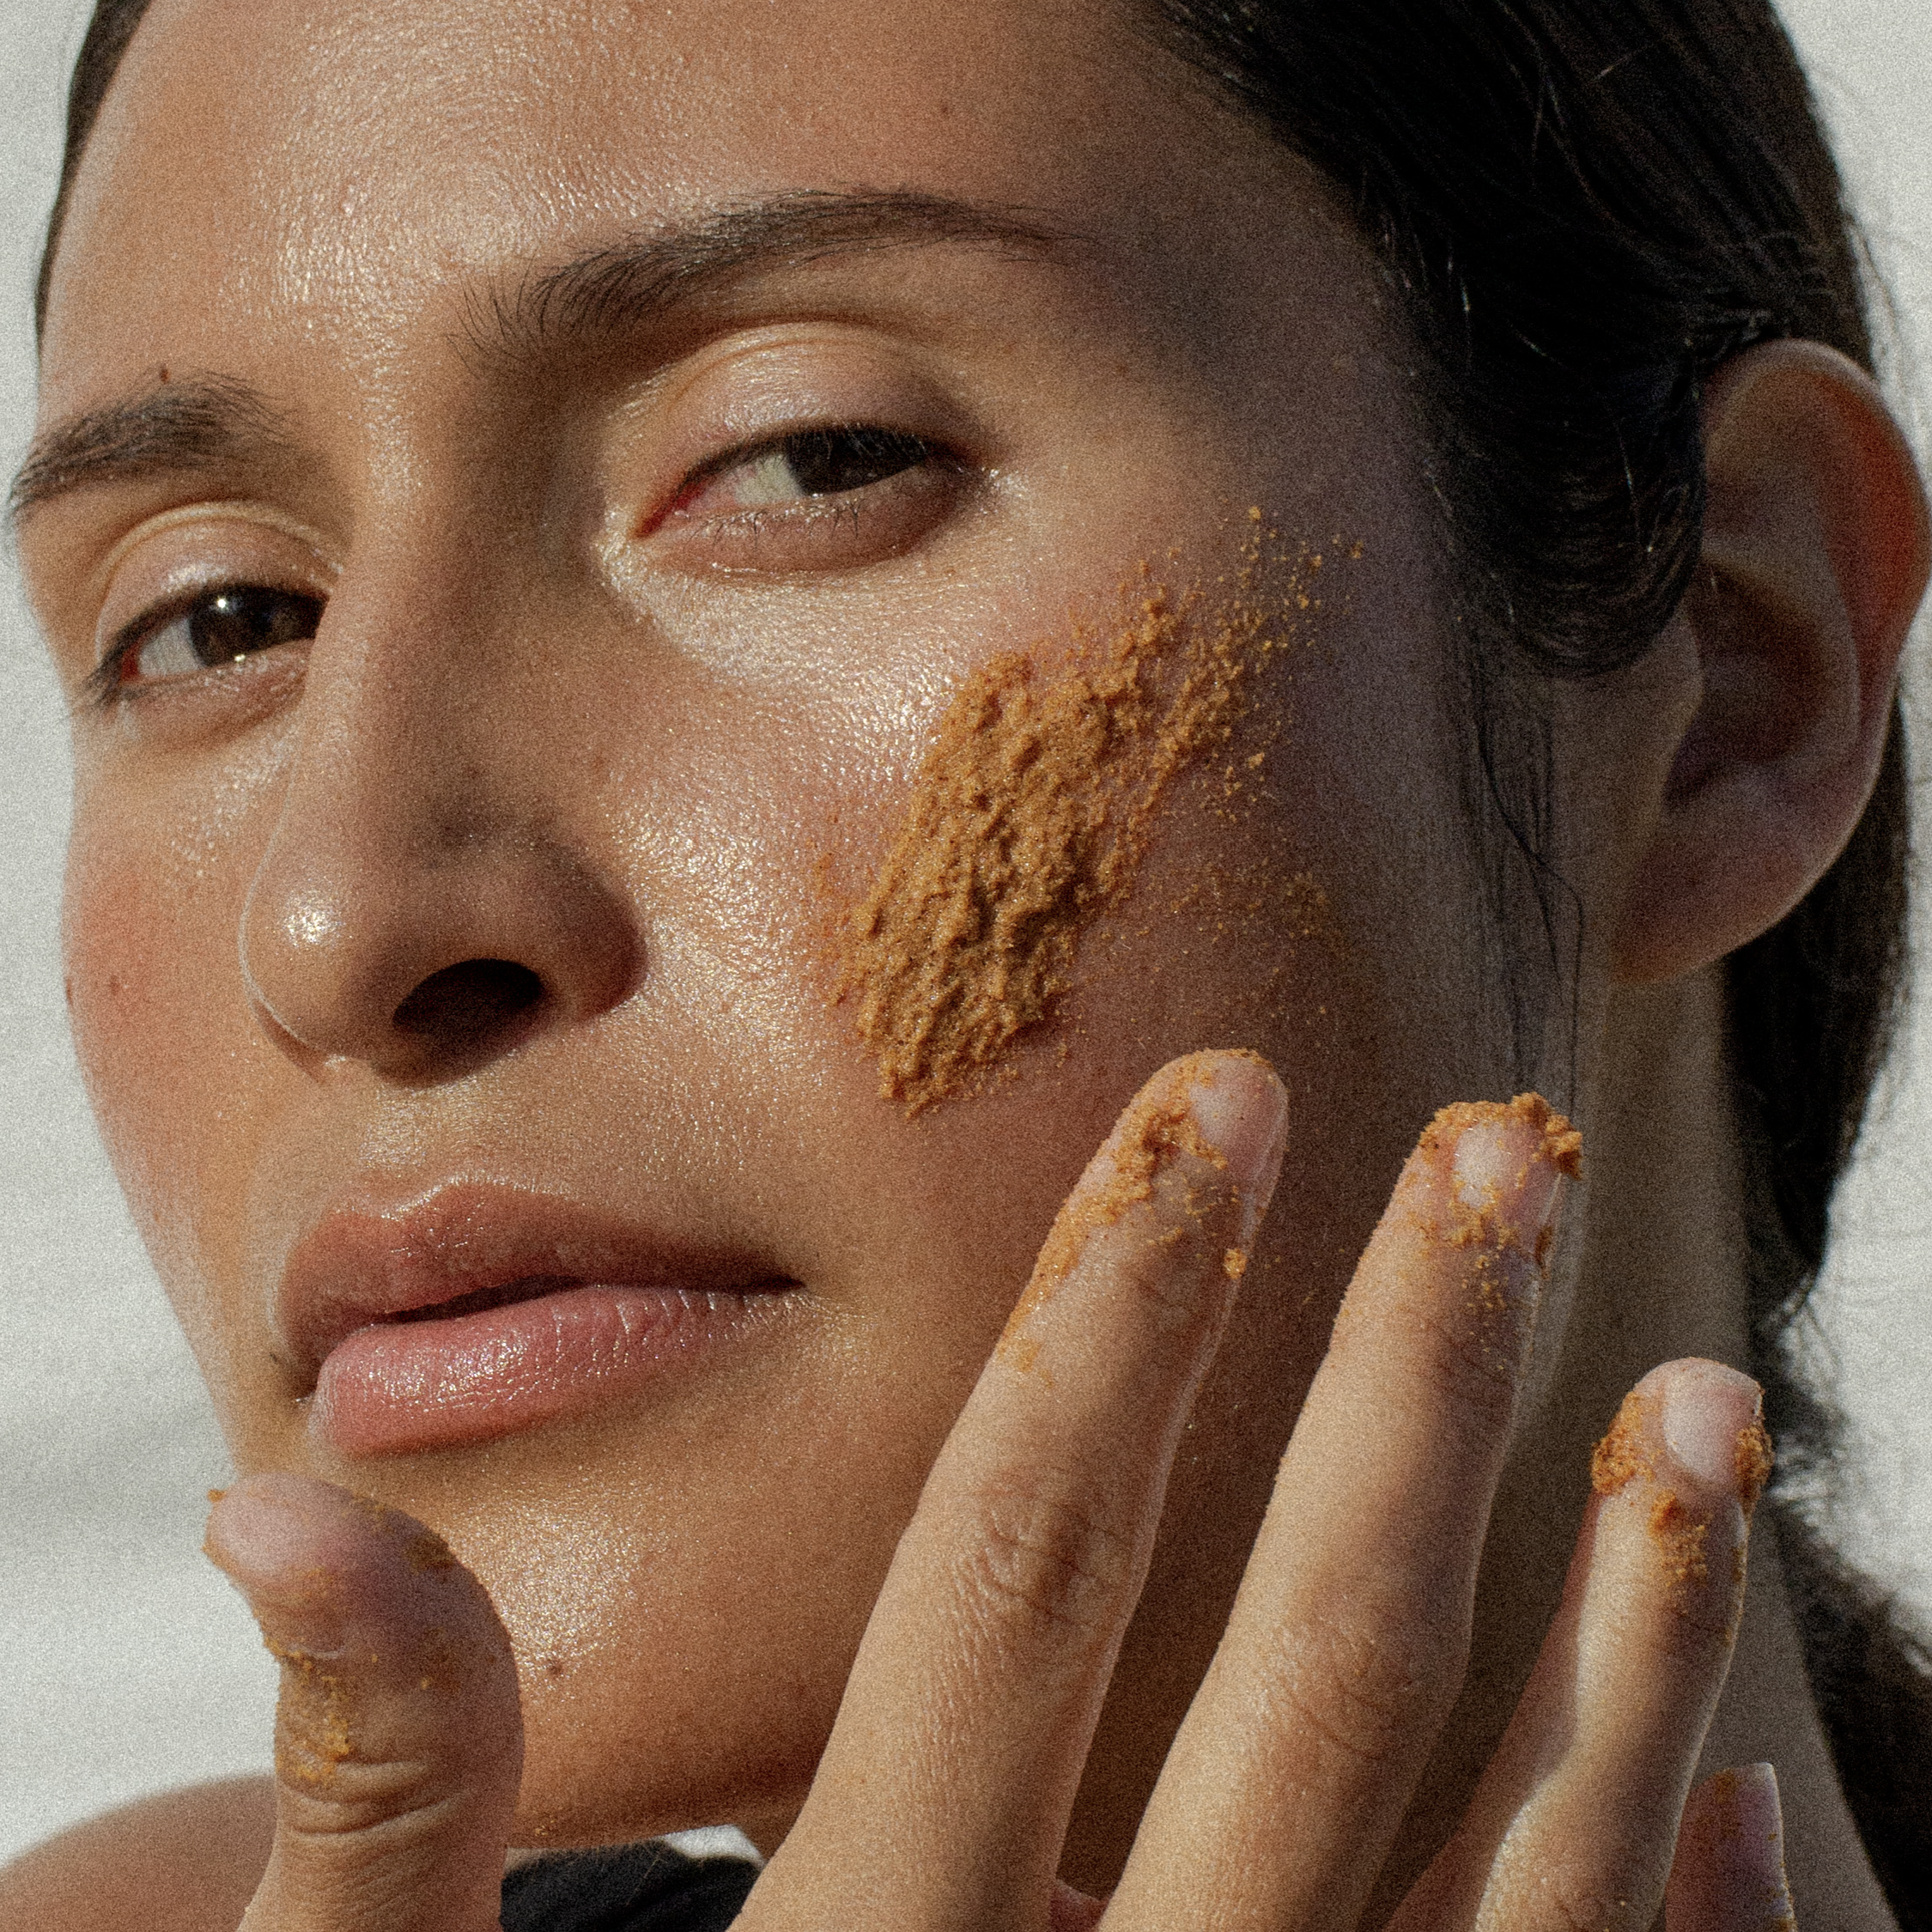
pixel 950 1778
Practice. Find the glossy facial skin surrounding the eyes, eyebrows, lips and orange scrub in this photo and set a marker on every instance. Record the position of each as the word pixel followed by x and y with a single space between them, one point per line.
pixel 476 548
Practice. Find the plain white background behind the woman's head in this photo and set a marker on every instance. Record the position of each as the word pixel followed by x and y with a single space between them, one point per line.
pixel 125 1661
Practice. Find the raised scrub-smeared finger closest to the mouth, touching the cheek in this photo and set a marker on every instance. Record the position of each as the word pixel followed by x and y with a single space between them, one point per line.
pixel 950 1776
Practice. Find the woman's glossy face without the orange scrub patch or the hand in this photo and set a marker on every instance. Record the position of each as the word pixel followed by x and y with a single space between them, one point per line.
pixel 461 347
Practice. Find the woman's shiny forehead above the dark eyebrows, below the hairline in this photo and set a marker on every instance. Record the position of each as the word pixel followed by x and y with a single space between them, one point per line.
pixel 337 163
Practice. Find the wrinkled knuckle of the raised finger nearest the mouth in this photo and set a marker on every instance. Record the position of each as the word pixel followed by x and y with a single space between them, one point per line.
pixel 1044 1562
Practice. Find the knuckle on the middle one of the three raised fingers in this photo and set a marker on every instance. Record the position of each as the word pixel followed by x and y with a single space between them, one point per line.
pixel 1369 1693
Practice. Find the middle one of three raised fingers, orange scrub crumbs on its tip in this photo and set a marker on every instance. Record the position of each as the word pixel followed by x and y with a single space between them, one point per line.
pixel 1351 1630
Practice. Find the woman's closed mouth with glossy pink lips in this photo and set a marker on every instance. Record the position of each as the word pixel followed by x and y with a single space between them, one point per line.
pixel 480 1311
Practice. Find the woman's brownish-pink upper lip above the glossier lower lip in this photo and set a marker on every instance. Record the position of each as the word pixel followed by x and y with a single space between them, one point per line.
pixel 478 1243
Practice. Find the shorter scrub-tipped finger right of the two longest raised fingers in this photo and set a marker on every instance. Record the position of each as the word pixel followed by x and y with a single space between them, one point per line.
pixel 1577 1815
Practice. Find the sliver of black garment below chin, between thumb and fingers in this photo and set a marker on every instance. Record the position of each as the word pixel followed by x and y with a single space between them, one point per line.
pixel 631 1889
